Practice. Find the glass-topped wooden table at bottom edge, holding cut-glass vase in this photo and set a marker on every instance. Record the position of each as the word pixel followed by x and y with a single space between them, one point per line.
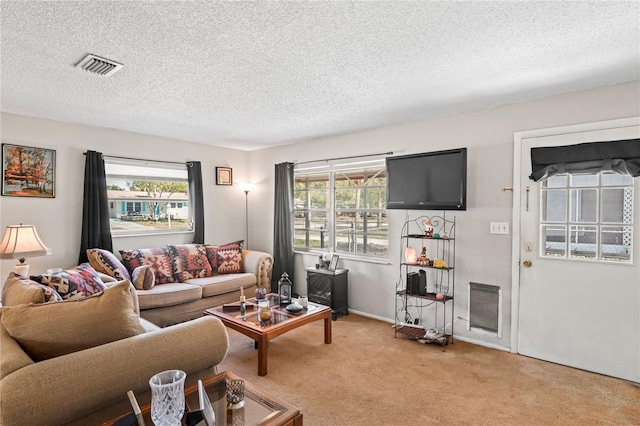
pixel 261 408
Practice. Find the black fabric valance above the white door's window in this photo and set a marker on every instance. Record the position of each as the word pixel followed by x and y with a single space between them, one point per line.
pixel 622 157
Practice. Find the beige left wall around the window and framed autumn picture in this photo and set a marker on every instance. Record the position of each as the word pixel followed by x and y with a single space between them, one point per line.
pixel 58 220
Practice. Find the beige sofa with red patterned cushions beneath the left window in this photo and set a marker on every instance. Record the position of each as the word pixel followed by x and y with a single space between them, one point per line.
pixel 189 278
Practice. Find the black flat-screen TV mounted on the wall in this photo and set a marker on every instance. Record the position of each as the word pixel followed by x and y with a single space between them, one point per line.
pixel 428 181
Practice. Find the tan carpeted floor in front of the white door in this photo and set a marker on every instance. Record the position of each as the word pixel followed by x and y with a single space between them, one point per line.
pixel 366 376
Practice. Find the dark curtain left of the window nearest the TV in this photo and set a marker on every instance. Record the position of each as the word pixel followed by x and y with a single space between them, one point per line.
pixel 282 226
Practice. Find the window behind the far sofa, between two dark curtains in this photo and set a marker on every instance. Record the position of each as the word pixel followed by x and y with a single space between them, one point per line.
pixel 147 197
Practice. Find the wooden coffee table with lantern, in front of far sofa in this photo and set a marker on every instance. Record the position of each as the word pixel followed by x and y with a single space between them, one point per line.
pixel 281 322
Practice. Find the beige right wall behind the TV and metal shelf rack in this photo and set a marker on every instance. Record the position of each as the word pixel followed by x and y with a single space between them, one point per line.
pixel 488 134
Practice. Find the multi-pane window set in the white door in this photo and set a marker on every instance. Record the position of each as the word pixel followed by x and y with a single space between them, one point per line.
pixel 587 217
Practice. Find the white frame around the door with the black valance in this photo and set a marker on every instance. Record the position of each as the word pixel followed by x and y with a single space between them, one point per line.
pixel 518 193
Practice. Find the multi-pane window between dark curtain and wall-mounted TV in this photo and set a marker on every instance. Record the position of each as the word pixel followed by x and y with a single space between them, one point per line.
pixel 342 210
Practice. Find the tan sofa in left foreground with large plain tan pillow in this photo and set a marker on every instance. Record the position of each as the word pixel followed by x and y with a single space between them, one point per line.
pixel 88 386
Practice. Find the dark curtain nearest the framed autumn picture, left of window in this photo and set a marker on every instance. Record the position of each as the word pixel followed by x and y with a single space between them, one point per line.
pixel 96 231
